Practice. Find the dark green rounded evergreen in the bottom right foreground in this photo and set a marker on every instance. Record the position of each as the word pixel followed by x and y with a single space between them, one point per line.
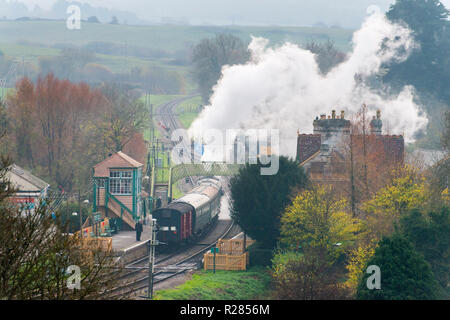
pixel 405 275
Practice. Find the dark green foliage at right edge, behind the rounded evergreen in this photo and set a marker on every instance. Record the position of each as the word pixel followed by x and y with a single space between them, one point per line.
pixel 429 233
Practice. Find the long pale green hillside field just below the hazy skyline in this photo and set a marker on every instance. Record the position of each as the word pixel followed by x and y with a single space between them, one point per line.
pixel 166 37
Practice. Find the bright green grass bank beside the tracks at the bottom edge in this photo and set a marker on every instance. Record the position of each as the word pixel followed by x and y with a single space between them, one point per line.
pixel 223 285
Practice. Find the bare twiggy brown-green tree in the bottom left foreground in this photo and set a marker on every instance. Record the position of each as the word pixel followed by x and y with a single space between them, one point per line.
pixel 35 254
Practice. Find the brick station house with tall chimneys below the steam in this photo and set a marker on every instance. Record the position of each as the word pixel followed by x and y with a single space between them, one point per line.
pixel 323 153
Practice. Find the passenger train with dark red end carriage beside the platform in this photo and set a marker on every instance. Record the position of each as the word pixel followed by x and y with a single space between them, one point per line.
pixel 186 218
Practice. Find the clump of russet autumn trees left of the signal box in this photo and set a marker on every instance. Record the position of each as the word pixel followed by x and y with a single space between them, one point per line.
pixel 50 120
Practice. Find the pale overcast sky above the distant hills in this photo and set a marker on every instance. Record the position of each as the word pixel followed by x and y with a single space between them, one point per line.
pixel 346 13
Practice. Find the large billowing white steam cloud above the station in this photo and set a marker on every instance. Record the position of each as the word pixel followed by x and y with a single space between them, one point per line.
pixel 282 88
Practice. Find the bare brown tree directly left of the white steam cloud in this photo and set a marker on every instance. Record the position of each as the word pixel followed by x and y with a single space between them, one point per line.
pixel 210 55
